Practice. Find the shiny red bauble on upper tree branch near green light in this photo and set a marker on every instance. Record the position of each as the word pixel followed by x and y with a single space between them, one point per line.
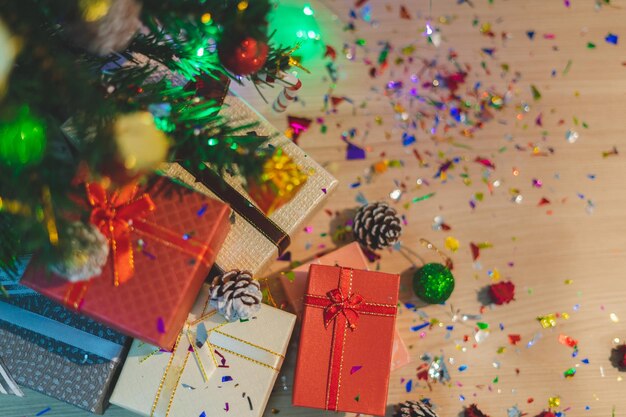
pixel 247 58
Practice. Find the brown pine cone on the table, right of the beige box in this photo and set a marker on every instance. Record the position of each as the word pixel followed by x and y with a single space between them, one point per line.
pixel 377 226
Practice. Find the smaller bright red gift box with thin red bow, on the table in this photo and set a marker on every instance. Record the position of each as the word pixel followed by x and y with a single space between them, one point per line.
pixel 346 340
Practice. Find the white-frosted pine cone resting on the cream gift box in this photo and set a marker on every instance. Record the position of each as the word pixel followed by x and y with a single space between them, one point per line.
pixel 236 295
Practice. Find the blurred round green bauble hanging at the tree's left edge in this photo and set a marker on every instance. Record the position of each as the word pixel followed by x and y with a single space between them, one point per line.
pixel 22 139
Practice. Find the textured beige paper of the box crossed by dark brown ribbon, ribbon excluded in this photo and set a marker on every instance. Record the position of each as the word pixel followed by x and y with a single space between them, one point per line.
pixel 246 247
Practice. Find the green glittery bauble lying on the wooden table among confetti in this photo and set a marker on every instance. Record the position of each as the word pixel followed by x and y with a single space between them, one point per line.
pixel 433 283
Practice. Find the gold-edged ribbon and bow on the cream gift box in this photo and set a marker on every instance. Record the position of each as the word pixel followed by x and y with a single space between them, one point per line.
pixel 217 338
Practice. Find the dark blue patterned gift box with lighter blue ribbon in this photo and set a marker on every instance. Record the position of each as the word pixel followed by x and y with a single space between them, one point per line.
pixel 57 352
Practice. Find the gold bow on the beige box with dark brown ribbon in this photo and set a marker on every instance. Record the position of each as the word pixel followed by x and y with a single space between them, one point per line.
pixel 280 181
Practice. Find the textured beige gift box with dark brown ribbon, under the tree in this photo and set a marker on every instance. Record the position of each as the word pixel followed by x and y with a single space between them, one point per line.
pixel 256 239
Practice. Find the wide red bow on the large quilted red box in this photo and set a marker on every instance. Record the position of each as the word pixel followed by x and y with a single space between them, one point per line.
pixel 116 217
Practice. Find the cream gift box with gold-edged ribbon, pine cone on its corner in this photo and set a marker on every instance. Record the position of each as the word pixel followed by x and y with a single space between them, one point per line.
pixel 217 368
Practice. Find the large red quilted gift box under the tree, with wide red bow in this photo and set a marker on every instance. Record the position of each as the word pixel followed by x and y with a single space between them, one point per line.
pixel 163 242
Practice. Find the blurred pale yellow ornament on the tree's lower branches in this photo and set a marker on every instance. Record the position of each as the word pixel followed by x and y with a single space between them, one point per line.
pixel 140 145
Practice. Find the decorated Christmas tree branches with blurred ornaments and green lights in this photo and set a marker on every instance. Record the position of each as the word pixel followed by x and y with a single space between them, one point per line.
pixel 132 84
